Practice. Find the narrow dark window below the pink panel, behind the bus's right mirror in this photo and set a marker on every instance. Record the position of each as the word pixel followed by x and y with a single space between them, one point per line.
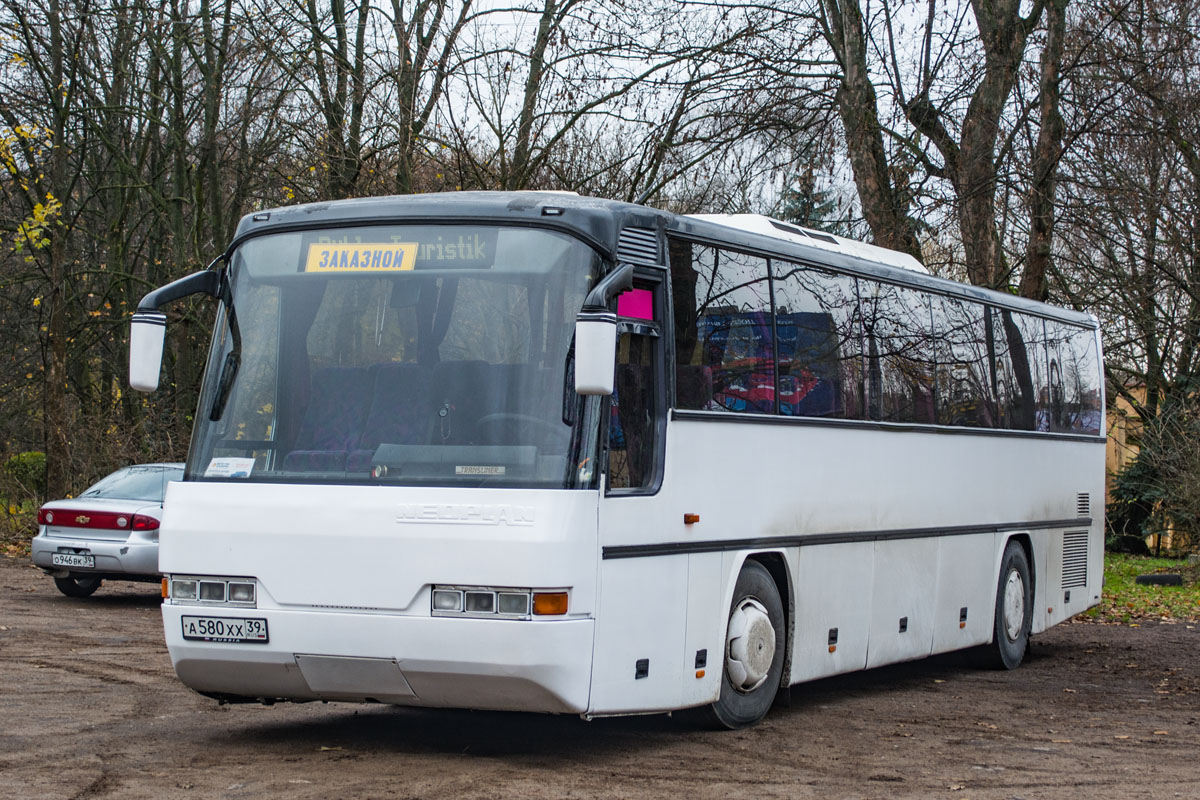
pixel 633 414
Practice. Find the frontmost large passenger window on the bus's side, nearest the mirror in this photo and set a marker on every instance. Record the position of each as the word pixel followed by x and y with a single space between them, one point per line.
pixel 724 344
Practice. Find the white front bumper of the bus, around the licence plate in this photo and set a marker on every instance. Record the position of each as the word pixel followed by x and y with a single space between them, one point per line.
pixel 499 665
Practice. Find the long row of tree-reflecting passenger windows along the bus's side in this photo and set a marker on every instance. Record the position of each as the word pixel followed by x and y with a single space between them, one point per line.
pixel 853 347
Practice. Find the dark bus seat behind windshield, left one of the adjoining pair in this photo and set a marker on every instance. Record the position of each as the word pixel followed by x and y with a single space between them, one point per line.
pixel 333 423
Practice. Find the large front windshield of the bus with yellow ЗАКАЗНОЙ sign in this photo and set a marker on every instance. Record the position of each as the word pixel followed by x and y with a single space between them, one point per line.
pixel 400 354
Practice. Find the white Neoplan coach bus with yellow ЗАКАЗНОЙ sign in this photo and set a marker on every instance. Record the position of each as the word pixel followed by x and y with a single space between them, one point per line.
pixel 543 453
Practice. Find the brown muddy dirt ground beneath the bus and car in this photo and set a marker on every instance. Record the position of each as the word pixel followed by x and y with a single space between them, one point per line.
pixel 91 708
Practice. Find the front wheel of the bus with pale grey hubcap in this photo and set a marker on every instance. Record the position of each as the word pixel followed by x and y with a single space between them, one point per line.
pixel 753 658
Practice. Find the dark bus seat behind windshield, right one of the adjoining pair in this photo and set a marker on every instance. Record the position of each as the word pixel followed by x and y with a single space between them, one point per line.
pixel 401 412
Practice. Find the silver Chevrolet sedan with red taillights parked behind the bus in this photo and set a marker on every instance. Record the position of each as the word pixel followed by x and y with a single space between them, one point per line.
pixel 109 532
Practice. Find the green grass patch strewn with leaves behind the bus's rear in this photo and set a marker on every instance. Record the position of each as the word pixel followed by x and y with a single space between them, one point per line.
pixel 1126 603
